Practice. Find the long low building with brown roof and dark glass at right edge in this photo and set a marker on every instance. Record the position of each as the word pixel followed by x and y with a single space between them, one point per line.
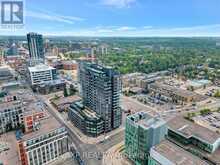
pixel 192 134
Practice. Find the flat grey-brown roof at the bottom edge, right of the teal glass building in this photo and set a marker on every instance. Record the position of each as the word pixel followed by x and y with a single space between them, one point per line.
pixel 177 155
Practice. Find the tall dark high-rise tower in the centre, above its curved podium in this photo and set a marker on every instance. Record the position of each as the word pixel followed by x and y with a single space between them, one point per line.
pixel 100 88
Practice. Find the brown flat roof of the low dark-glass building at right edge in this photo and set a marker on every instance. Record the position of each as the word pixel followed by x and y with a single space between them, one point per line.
pixel 189 129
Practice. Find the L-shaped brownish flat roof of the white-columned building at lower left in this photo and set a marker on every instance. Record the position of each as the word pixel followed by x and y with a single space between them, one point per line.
pixel 47 125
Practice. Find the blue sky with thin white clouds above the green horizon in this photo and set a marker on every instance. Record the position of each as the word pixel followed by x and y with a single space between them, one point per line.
pixel 141 18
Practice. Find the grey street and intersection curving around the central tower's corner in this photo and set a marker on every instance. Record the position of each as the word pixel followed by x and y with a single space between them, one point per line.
pixel 90 153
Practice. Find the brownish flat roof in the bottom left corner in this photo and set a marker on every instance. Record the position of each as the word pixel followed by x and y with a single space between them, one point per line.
pixel 10 156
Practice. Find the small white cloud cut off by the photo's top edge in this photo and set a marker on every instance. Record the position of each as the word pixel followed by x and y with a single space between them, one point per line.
pixel 119 3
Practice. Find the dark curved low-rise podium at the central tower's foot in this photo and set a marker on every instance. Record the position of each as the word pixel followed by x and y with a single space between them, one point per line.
pixel 88 121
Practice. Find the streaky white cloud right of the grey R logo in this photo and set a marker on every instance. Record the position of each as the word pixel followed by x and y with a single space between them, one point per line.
pixel 53 17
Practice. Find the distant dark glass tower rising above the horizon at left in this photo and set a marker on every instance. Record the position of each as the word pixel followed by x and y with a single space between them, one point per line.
pixel 36 48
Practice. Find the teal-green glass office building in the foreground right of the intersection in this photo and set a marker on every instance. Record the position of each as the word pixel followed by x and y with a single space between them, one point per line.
pixel 143 132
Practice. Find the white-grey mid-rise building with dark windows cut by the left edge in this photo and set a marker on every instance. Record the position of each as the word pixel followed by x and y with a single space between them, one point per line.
pixel 11 115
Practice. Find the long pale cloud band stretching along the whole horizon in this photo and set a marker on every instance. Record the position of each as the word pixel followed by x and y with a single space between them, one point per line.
pixel 212 30
